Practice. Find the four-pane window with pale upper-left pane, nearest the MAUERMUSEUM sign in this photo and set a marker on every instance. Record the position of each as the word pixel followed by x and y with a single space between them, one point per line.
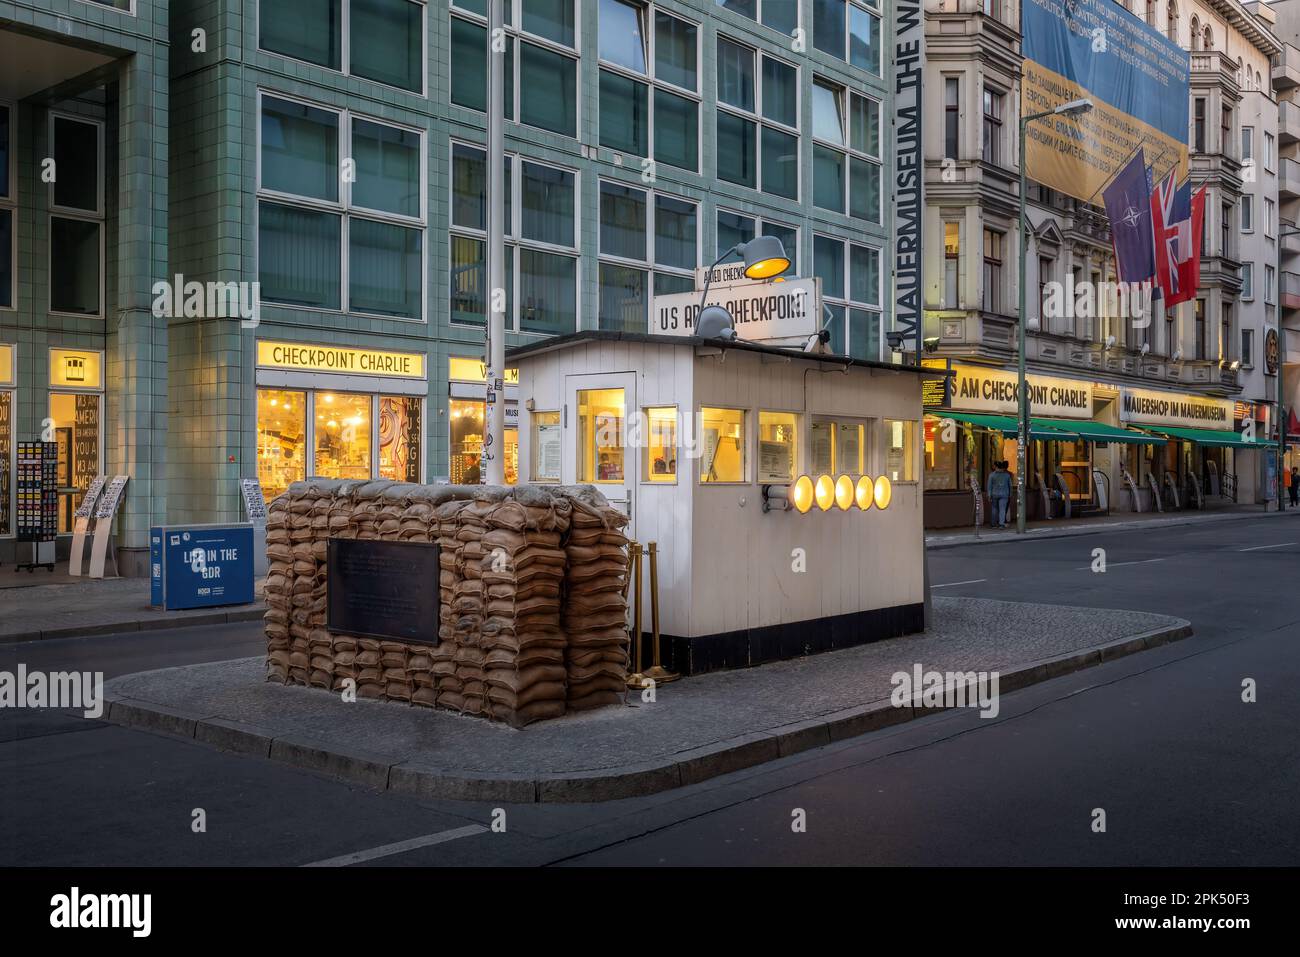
pixel 846 151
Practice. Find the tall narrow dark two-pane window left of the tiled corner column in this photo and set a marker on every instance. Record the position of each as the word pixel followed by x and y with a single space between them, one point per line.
pixel 77 220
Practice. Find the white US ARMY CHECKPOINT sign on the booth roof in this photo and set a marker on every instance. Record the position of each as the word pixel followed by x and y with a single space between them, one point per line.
pixel 759 310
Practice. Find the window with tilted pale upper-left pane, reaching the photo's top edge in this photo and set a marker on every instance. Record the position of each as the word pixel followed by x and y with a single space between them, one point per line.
pixel 649 85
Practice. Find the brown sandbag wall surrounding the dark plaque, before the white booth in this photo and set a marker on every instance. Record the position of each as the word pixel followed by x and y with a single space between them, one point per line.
pixel 532 594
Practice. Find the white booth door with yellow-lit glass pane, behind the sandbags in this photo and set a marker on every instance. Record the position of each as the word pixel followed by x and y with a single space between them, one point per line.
pixel 597 448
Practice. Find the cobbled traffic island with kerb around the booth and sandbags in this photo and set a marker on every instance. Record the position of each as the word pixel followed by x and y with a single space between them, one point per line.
pixel 695 730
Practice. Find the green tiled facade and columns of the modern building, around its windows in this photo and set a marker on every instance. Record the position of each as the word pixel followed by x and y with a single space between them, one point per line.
pixel 181 413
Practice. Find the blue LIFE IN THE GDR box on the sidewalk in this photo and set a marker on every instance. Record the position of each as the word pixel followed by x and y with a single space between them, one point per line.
pixel 201 566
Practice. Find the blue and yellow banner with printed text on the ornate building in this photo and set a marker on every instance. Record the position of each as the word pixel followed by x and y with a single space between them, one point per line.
pixel 1138 83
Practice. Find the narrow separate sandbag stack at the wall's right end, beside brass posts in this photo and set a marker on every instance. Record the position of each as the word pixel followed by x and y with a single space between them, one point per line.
pixel 596 610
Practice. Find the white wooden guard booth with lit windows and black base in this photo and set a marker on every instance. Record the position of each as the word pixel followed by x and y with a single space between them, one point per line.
pixel 694 438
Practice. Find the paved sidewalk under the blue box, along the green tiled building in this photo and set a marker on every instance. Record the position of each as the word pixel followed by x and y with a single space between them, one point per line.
pixel 99 607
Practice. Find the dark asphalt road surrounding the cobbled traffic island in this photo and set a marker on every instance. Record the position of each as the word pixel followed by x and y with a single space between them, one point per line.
pixel 1163 743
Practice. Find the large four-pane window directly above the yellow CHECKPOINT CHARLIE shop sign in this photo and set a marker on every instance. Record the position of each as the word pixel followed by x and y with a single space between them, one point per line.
pixel 315 228
